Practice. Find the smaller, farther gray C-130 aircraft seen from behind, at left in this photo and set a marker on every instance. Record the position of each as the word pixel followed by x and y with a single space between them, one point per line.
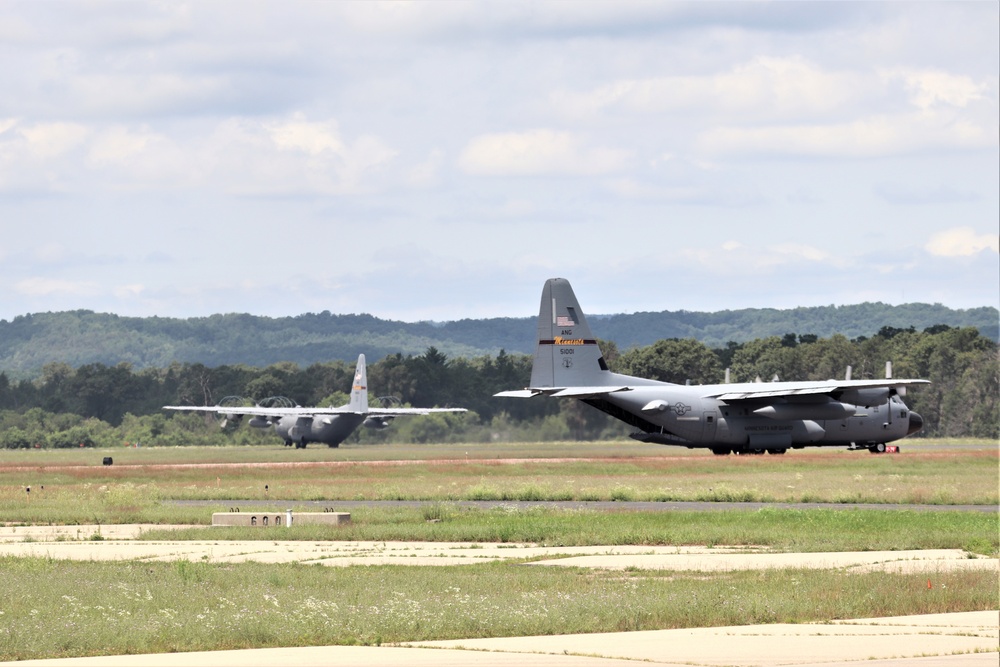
pixel 330 426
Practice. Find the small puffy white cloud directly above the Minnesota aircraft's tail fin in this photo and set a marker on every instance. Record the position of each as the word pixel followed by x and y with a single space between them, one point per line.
pixel 537 152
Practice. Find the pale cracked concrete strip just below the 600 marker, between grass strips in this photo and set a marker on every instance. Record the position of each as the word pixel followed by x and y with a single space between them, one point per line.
pixel 118 543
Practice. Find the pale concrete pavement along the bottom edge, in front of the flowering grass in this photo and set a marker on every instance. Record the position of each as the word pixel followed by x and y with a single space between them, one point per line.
pixel 942 640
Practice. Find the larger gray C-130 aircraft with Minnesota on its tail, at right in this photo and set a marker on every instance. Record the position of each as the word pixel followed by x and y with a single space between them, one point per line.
pixel 742 418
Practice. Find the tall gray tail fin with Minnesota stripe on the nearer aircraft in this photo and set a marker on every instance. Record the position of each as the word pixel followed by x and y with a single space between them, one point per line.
pixel 567 354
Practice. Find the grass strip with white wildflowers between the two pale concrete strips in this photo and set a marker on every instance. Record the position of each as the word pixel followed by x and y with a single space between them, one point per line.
pixel 64 608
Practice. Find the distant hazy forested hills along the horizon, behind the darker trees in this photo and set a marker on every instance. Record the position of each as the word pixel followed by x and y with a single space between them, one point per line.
pixel 81 337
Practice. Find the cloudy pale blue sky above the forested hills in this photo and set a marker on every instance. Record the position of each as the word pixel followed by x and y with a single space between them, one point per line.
pixel 440 160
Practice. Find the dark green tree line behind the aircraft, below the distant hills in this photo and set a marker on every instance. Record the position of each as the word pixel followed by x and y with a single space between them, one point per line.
pixel 110 405
